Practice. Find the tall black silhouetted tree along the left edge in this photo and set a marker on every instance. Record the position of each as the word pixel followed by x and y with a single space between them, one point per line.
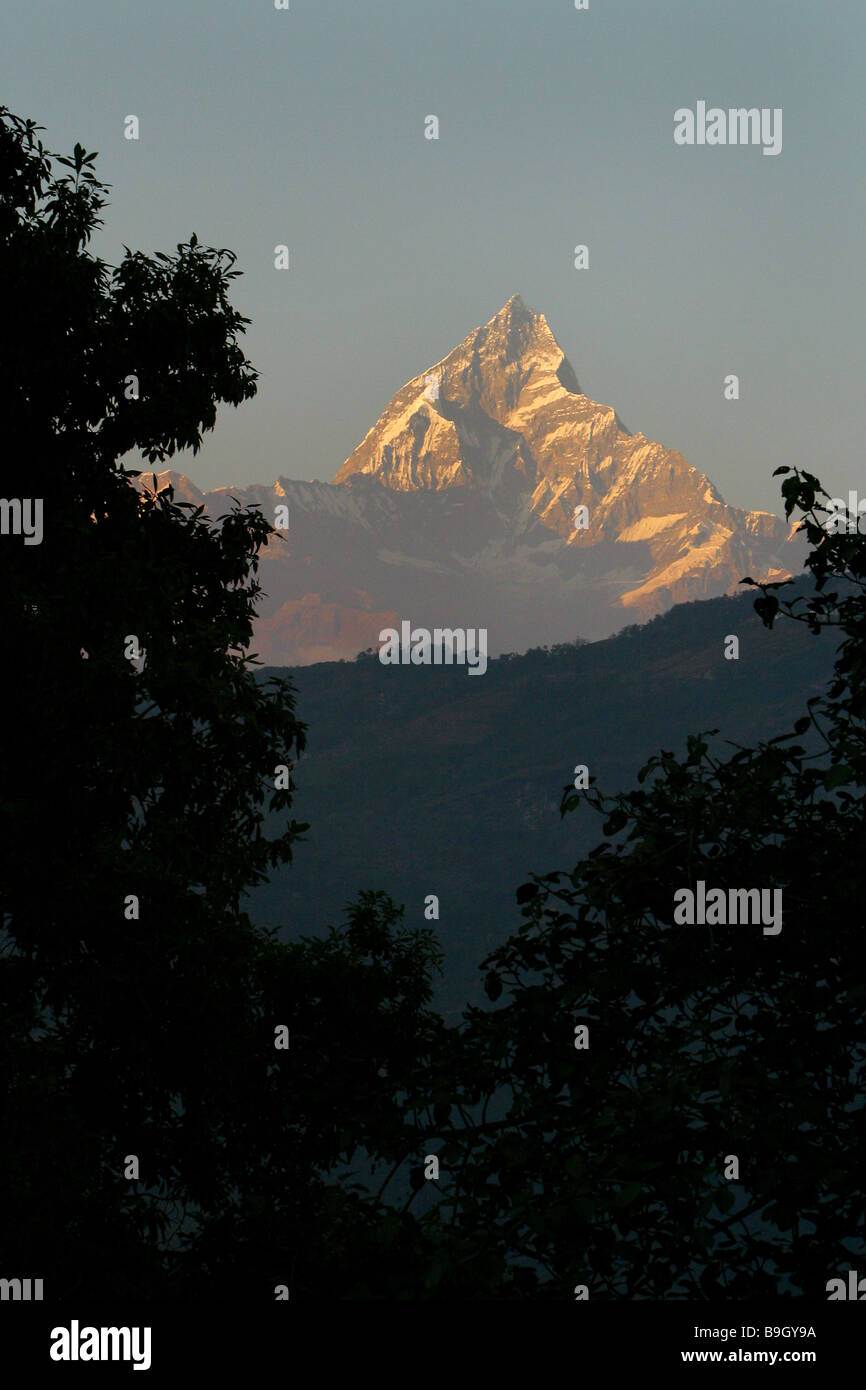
pixel 141 799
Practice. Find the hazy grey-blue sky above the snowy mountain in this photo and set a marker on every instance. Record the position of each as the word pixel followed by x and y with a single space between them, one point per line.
pixel 307 127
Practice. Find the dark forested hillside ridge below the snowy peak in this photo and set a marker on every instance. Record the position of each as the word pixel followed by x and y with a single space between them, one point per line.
pixel 418 780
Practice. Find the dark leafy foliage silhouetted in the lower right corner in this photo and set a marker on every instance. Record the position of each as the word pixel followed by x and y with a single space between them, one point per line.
pixel 607 1164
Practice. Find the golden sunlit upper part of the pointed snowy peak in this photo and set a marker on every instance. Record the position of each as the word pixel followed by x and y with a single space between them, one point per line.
pixel 509 420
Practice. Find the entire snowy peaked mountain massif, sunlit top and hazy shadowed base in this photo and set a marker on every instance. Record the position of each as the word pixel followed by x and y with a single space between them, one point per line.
pixel 459 509
